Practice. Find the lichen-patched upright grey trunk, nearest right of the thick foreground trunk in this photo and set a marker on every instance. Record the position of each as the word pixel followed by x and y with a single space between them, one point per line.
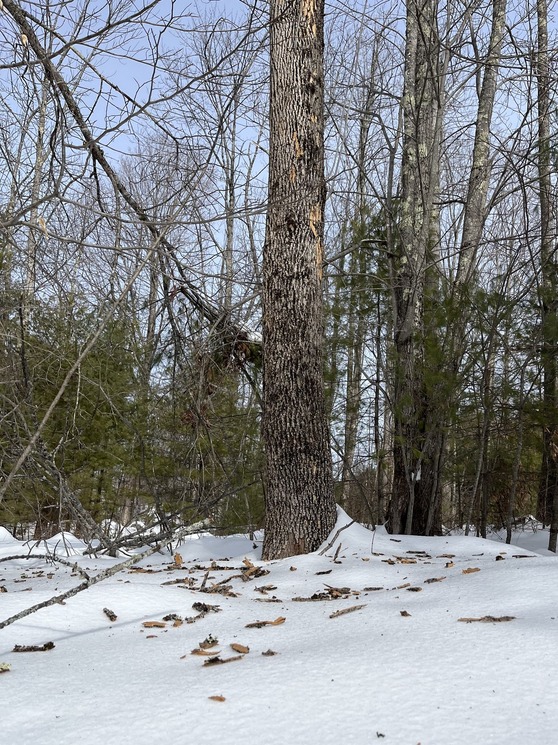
pixel 421 136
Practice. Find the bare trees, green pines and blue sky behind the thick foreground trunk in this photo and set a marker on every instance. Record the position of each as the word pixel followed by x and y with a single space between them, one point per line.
pixel 130 316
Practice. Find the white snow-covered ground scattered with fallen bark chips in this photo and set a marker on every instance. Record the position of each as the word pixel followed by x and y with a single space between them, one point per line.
pixel 370 675
